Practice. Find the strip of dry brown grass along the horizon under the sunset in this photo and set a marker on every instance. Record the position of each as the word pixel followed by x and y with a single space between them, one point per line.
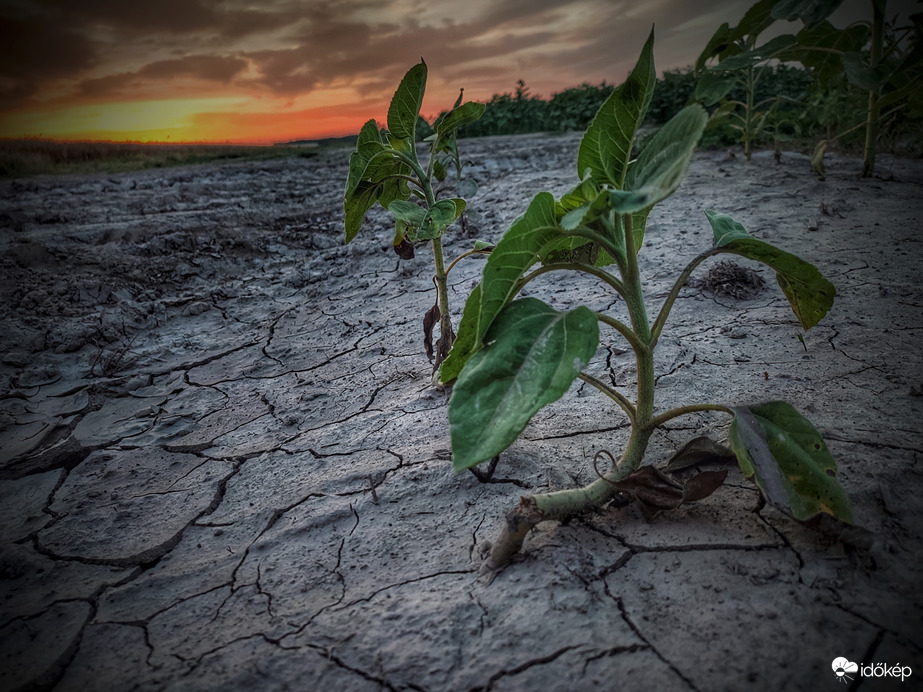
pixel 27 157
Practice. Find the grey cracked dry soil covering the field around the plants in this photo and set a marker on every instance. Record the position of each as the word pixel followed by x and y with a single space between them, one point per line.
pixel 224 465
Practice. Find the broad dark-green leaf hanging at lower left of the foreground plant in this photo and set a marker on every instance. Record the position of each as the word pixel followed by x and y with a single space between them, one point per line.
pixel 534 355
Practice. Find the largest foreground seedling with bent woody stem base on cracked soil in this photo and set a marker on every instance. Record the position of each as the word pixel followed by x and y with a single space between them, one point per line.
pixel 515 355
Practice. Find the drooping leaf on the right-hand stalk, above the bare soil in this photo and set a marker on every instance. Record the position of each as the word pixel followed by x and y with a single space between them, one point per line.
pixel 809 293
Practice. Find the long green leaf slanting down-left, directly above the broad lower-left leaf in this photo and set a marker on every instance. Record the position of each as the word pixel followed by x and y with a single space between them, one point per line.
pixel 522 245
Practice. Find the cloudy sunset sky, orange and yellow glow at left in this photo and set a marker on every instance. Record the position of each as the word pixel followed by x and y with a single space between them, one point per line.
pixel 277 70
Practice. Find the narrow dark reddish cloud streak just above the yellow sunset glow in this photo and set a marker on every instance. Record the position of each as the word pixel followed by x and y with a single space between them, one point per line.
pixel 205 67
